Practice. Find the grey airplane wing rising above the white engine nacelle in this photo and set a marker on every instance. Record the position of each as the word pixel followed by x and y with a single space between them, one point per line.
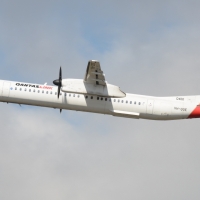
pixel 94 74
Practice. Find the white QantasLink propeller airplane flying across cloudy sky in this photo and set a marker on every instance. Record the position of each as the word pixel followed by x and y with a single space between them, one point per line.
pixel 94 94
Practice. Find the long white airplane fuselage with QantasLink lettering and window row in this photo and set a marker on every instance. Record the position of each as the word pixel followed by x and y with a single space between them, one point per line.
pixel 131 106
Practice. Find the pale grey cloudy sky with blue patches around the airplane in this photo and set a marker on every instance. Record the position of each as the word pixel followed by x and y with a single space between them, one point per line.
pixel 145 47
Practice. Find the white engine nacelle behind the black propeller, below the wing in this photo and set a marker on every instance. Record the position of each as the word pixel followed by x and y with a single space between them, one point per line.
pixel 81 87
